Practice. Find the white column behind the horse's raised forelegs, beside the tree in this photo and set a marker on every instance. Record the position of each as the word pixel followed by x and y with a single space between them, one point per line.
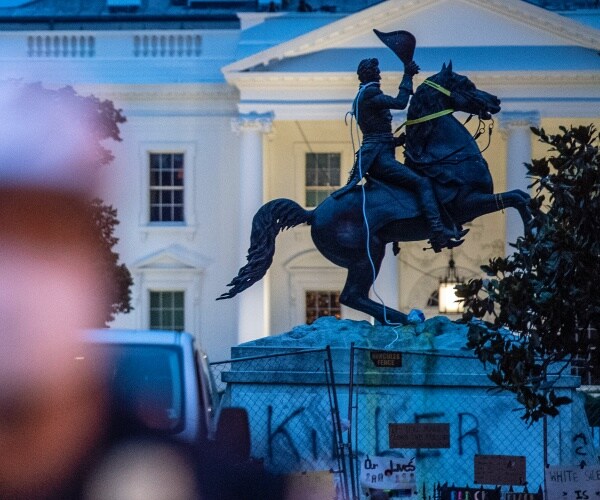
pixel 516 128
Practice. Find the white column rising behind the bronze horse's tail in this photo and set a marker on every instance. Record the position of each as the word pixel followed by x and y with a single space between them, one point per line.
pixel 253 312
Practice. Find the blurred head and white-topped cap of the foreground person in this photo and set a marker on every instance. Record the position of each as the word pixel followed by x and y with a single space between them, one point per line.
pixel 51 409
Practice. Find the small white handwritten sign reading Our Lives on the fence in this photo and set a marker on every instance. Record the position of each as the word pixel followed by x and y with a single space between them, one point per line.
pixel 388 473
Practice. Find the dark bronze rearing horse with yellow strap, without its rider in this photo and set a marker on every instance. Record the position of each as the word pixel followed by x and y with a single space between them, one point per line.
pixel 352 230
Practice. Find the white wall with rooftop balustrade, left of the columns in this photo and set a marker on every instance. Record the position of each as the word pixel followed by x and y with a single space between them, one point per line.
pixel 171 90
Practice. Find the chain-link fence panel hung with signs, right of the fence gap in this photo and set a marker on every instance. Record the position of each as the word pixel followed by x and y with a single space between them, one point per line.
pixel 440 421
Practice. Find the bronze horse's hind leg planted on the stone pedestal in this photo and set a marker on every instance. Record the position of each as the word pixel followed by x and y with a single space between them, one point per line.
pixel 356 291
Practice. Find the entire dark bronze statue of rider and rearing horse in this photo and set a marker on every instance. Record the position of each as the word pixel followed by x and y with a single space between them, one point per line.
pixel 444 183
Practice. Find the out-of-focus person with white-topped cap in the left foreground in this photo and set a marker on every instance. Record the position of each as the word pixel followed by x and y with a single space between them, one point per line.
pixel 56 427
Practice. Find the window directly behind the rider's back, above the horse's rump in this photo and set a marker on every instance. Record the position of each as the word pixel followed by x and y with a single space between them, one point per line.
pixel 322 176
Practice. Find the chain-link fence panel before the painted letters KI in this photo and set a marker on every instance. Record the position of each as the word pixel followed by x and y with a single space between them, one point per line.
pixel 292 407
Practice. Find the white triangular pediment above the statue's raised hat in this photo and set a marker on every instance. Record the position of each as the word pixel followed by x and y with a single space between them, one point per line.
pixel 435 23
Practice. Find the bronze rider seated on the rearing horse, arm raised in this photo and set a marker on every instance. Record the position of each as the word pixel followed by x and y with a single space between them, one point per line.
pixel 376 156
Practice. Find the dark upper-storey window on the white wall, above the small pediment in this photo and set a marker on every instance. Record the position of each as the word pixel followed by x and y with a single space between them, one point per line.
pixel 166 187
